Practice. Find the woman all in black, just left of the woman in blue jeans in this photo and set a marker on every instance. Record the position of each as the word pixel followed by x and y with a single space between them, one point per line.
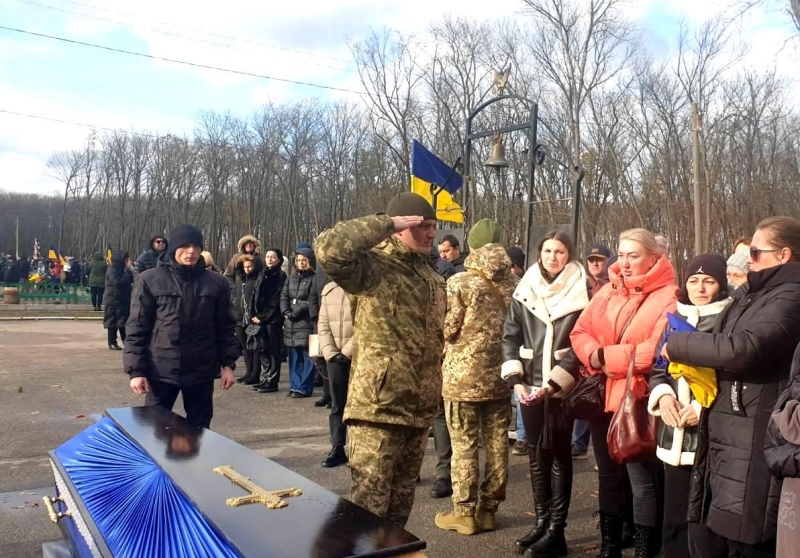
pixel 269 288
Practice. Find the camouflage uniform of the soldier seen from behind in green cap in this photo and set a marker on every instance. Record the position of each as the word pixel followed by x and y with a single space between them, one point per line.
pixel 476 397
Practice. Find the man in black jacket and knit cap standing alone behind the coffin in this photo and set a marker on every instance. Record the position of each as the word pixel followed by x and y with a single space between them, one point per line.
pixel 181 330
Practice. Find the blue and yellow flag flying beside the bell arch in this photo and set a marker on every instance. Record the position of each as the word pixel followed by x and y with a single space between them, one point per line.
pixel 430 174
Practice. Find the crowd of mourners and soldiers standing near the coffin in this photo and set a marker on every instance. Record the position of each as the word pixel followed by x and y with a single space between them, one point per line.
pixel 411 335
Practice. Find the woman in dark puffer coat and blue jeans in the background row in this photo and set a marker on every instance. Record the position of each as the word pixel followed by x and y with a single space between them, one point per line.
pixel 300 308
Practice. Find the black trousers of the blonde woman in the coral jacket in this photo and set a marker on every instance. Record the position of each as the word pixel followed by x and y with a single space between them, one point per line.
pixel 644 478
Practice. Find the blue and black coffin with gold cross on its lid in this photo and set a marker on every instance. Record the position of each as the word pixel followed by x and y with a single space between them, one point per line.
pixel 142 482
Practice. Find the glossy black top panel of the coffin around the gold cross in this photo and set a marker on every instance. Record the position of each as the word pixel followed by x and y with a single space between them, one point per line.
pixel 318 524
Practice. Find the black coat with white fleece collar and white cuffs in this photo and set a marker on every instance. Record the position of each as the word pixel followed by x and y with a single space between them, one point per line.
pixel 537 328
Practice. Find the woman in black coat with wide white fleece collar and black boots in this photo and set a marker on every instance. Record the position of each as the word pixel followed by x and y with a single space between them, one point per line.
pixel 541 367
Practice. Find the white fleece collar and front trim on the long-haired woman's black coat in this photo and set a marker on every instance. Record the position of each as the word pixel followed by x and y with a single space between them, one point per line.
pixel 550 302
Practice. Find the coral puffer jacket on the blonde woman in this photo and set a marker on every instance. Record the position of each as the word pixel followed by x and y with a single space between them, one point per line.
pixel 650 296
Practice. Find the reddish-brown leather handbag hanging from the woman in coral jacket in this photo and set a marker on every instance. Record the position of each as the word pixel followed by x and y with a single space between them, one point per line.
pixel 632 432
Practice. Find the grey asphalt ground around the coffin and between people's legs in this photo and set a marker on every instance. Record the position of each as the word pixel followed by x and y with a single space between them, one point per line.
pixel 57 377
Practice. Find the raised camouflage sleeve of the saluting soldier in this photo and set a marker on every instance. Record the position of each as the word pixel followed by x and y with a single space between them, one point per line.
pixel 345 252
